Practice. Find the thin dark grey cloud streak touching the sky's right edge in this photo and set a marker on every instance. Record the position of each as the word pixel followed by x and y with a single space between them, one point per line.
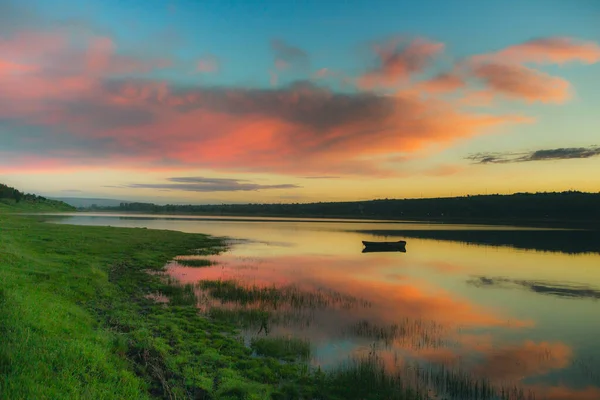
pixel 565 153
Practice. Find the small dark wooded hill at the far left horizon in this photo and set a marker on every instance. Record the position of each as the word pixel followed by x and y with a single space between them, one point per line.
pixel 13 200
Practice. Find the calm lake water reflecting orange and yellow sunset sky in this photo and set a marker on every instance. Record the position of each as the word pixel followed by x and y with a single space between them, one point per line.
pixel 511 305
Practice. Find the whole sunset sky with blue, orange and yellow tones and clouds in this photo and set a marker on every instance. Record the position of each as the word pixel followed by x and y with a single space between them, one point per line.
pixel 210 101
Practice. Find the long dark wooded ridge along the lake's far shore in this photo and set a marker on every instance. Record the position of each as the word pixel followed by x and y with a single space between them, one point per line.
pixel 556 206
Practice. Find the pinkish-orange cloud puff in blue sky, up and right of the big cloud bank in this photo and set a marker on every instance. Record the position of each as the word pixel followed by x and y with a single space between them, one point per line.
pixel 397 60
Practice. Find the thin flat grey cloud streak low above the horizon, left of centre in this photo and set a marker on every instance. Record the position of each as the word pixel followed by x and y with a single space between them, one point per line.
pixel 200 184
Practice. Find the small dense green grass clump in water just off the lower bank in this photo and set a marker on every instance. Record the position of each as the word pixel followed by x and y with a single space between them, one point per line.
pixel 284 348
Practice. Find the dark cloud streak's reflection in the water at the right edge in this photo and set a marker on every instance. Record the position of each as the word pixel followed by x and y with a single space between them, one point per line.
pixel 541 287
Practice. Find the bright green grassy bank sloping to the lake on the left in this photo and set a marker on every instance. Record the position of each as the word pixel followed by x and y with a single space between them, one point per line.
pixel 76 322
